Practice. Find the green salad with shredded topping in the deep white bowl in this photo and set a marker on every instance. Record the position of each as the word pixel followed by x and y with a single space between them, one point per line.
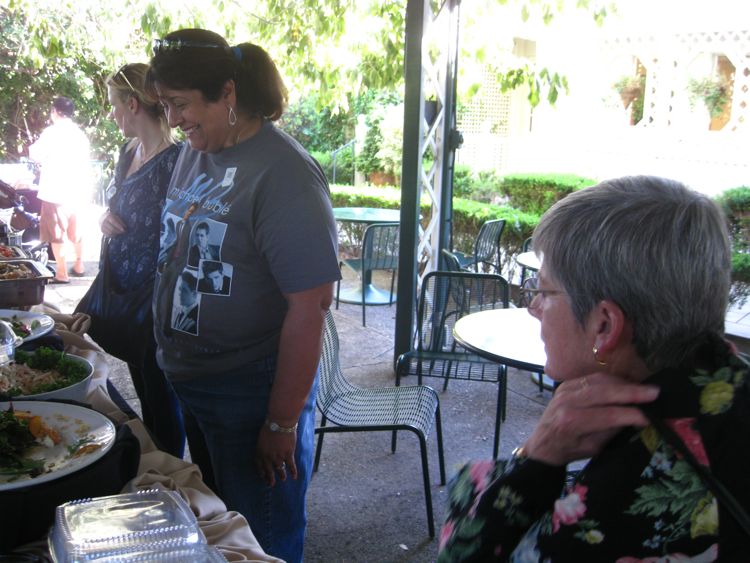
pixel 39 372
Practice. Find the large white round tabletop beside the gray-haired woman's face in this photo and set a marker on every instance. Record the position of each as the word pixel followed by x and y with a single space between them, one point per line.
pixel 508 336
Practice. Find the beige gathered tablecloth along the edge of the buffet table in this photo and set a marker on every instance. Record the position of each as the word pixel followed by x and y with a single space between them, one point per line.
pixel 228 531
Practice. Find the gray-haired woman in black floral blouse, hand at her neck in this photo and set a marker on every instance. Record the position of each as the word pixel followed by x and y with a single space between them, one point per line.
pixel 631 297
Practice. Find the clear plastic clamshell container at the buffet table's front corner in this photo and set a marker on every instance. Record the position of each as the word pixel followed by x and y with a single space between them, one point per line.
pixel 118 525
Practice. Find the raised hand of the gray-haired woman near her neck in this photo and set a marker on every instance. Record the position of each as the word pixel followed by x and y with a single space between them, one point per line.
pixel 584 414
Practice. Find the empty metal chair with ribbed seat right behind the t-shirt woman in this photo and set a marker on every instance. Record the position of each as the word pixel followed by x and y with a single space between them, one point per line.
pixel 356 409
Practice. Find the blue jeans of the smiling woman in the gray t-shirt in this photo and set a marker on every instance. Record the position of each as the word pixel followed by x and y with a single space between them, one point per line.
pixel 223 415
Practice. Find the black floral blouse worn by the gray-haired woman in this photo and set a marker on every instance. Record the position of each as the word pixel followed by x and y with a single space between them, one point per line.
pixel 636 501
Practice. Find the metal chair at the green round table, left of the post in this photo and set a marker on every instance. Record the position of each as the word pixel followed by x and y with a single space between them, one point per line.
pixel 379 252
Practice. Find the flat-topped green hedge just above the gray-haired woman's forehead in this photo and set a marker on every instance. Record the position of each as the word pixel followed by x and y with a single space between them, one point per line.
pixel 535 193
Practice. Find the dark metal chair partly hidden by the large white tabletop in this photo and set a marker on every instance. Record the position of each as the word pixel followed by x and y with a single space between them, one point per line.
pixel 445 297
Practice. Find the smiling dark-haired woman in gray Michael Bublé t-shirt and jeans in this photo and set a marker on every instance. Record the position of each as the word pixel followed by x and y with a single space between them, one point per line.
pixel 258 205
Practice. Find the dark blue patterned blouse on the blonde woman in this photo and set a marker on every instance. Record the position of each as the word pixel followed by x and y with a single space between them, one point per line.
pixel 138 201
